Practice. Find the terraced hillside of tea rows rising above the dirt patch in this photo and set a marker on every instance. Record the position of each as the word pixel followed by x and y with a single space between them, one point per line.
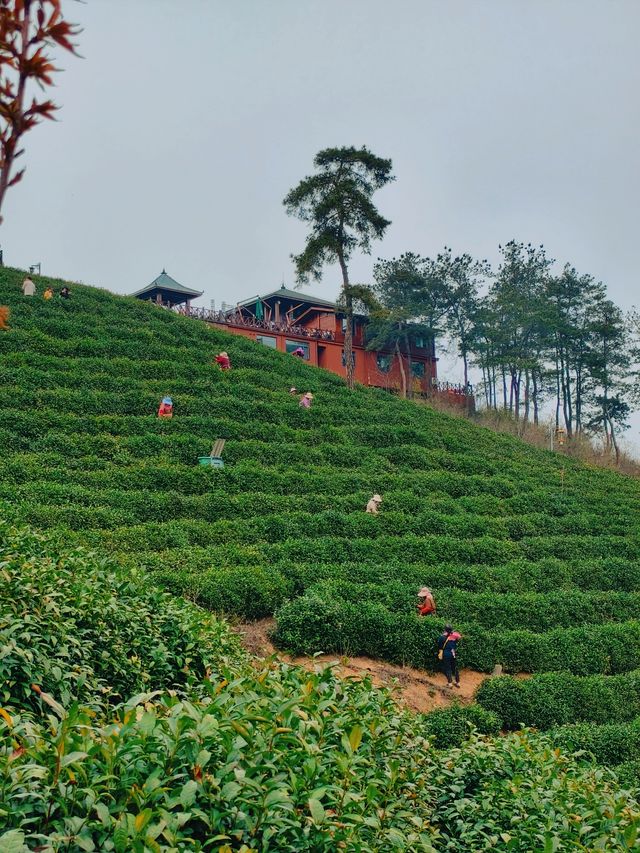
pixel 533 556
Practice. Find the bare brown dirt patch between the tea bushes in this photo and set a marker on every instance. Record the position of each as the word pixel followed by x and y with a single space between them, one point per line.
pixel 415 689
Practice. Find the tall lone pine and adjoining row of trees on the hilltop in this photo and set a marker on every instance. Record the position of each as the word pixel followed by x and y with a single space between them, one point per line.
pixel 537 336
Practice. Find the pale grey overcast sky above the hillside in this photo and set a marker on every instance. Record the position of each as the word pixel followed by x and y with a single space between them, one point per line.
pixel 183 126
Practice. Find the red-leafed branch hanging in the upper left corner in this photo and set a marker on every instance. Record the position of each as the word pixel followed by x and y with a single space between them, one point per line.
pixel 27 29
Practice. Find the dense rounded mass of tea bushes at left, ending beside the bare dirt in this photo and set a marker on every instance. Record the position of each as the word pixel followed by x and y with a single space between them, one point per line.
pixel 76 628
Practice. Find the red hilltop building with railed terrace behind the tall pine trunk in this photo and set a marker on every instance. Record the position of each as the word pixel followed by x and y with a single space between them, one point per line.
pixel 288 320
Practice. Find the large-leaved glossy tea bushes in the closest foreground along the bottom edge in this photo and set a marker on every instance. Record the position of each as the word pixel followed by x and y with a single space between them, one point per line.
pixel 288 760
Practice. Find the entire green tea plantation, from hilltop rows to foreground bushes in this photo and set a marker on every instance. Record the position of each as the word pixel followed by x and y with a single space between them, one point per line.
pixel 534 557
